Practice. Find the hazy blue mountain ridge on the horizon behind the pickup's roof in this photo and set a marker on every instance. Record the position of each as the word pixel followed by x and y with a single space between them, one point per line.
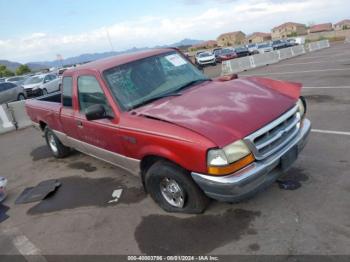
pixel 96 56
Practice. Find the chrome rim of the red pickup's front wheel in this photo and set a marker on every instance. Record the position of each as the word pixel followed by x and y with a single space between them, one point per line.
pixel 172 192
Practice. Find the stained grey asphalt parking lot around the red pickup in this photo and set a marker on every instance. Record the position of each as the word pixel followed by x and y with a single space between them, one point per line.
pixel 313 219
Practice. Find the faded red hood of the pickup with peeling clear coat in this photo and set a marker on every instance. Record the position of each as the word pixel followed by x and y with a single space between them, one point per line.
pixel 226 111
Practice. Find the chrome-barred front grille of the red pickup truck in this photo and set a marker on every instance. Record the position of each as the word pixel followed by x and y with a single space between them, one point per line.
pixel 275 135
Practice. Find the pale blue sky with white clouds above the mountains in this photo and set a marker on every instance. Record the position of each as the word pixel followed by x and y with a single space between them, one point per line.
pixel 33 30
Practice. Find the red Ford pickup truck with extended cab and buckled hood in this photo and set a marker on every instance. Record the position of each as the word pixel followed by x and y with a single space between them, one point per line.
pixel 188 137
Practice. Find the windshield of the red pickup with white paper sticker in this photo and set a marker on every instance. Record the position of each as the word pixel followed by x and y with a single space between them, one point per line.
pixel 134 84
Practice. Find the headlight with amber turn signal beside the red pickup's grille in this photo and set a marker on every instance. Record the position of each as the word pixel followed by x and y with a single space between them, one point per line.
pixel 229 159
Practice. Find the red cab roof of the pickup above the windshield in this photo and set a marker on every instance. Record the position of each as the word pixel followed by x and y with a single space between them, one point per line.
pixel 110 62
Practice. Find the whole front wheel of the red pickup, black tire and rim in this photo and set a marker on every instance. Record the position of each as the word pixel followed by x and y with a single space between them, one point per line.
pixel 173 189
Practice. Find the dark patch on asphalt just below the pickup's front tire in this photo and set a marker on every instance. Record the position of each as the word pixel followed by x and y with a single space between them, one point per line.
pixel 196 235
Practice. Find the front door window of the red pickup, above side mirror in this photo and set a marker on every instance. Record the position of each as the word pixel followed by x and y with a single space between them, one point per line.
pixel 90 93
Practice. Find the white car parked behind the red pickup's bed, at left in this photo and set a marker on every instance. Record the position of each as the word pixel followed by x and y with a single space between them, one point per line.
pixel 42 84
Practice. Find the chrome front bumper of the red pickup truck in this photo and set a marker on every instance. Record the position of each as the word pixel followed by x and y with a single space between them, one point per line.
pixel 254 177
